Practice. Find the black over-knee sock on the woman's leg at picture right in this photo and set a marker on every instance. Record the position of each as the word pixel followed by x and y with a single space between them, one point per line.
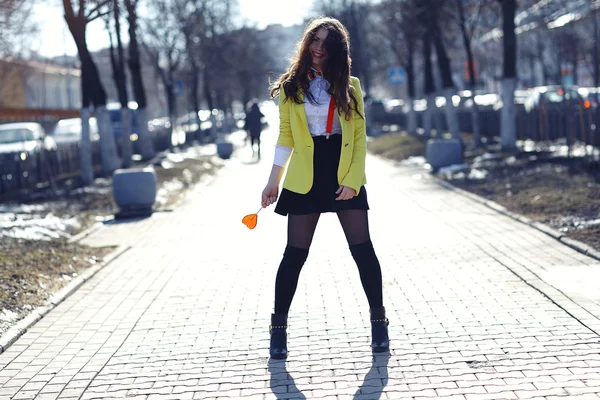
pixel 370 272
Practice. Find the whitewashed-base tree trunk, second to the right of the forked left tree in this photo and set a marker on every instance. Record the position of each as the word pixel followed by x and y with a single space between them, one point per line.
pixel 146 142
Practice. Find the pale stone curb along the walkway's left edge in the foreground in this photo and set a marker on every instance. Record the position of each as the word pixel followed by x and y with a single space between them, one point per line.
pixel 14 333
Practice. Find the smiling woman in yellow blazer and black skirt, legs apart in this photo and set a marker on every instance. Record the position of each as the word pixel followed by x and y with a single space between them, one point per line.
pixel 322 127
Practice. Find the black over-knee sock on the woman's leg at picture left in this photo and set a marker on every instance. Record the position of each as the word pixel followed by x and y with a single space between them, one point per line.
pixel 287 277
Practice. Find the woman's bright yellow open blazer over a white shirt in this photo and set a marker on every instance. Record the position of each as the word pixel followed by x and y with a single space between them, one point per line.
pixel 294 133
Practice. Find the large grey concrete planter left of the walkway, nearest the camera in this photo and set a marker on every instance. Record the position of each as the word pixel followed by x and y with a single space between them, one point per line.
pixel 134 191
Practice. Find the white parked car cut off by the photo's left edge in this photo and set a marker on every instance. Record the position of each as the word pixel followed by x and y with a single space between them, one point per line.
pixel 24 139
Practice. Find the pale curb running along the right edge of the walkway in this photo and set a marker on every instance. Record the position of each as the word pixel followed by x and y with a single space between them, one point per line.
pixel 560 236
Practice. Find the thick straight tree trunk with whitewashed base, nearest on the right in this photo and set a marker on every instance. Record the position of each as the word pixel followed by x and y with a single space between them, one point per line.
pixel 509 122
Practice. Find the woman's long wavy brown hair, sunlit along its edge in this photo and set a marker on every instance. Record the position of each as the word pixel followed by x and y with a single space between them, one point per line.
pixel 336 68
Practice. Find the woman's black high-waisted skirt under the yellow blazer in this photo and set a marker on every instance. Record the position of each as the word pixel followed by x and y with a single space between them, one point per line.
pixel 321 197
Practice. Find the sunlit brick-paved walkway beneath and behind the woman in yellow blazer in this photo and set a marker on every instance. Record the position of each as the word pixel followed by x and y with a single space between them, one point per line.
pixel 184 312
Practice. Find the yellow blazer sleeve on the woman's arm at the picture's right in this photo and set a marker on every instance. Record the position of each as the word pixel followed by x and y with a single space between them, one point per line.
pixel 355 176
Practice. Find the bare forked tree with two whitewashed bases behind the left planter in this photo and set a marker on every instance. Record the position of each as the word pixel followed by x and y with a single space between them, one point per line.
pixel 93 93
